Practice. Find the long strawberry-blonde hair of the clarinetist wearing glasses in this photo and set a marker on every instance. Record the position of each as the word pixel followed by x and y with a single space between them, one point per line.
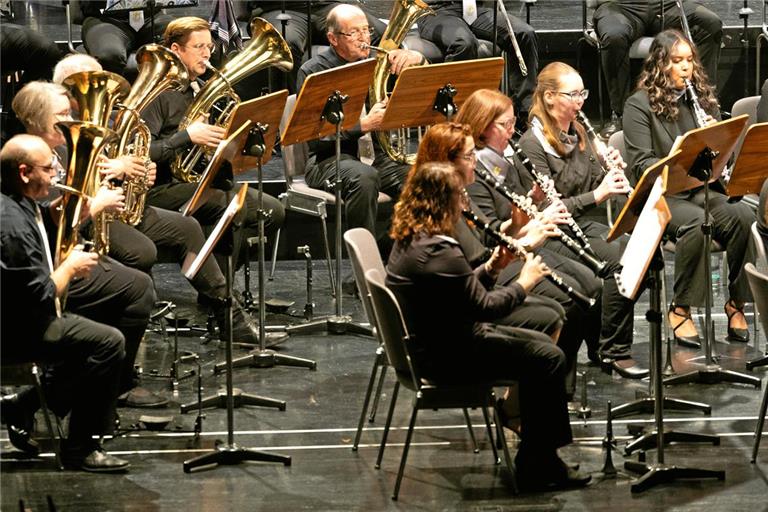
pixel 549 79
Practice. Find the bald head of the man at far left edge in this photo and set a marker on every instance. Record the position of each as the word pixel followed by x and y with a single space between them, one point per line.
pixel 18 160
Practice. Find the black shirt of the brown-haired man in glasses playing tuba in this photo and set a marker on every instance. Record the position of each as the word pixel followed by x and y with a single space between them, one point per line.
pixel 163 117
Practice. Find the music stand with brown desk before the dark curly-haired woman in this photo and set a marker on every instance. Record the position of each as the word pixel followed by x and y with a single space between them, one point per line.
pixel 704 154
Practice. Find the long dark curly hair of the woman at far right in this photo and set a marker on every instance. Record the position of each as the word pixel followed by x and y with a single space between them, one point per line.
pixel 655 77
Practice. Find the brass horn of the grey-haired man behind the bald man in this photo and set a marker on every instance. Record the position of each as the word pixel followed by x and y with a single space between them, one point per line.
pixel 96 94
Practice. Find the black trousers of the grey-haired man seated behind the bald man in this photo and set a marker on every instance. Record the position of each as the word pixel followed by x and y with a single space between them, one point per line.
pixel 121 297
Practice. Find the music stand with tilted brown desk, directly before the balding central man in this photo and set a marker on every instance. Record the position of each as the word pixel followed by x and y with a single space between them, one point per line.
pixel 319 112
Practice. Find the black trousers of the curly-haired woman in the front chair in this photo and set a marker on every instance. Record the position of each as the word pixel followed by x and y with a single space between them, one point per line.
pixel 505 353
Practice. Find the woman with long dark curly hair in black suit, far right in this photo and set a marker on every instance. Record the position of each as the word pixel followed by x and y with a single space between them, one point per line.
pixel 654 116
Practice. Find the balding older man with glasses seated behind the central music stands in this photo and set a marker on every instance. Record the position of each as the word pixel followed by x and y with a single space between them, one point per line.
pixel 348 32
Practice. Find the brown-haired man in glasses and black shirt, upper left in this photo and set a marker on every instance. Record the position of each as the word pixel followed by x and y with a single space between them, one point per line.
pixel 190 39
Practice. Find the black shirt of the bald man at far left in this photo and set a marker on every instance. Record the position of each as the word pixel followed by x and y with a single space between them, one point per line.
pixel 27 293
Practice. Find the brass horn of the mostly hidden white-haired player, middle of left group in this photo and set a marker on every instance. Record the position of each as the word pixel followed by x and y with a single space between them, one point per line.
pixel 159 70
